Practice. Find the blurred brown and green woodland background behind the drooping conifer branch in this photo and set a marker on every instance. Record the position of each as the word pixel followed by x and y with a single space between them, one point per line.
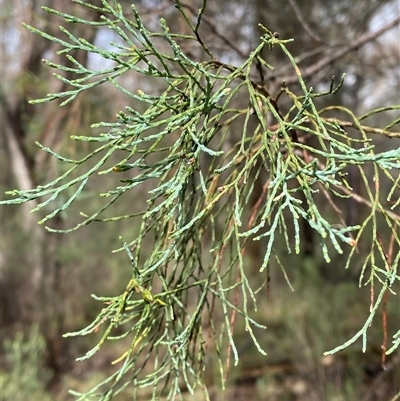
pixel 46 279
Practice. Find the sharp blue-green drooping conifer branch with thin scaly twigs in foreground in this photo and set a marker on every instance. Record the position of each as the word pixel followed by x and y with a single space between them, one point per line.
pixel 188 256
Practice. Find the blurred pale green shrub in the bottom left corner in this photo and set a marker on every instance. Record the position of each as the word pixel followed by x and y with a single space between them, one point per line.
pixel 25 378
